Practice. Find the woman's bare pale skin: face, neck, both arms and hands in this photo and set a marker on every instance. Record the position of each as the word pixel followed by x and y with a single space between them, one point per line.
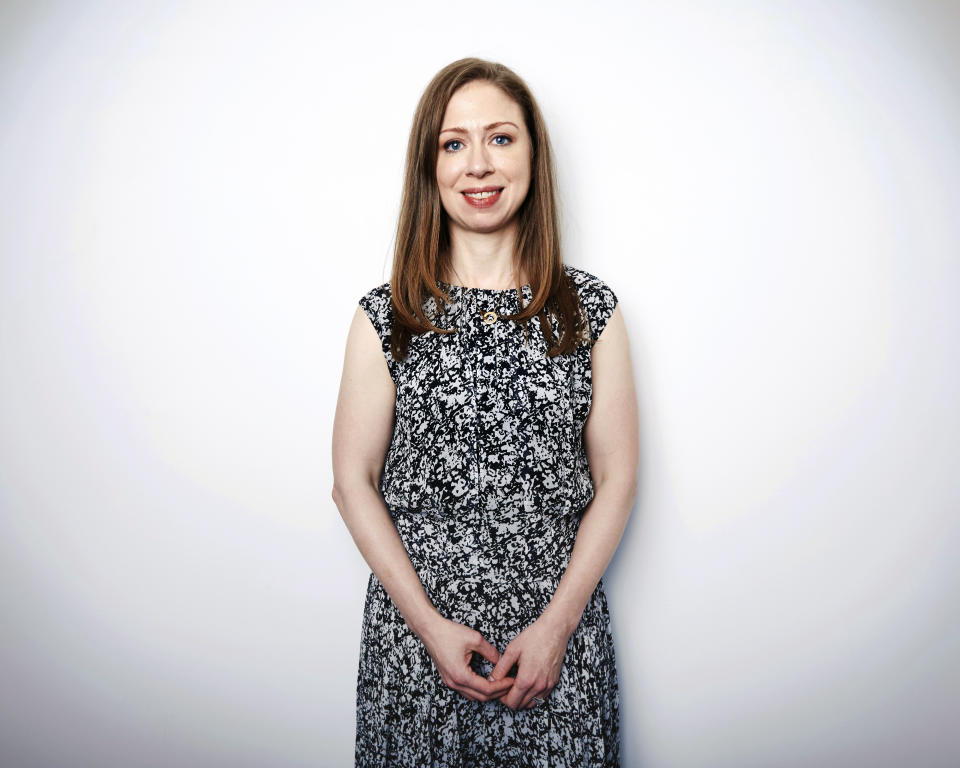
pixel 482 242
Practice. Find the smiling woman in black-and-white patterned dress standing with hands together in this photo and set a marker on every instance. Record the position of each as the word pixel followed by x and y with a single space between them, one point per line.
pixel 485 455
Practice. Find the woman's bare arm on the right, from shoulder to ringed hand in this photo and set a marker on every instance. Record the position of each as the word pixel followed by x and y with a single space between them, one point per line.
pixel 611 437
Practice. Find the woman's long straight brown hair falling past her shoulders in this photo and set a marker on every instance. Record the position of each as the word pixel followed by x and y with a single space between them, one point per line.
pixel 421 254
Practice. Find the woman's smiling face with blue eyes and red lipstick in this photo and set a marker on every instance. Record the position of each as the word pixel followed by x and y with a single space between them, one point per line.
pixel 484 145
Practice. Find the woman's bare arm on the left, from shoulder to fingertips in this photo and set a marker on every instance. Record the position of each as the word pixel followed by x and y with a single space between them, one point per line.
pixel 362 431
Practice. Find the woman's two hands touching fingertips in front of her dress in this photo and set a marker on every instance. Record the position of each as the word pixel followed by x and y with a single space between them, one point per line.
pixel 538 652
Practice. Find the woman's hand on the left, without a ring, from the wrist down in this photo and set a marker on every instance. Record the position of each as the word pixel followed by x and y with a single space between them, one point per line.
pixel 451 646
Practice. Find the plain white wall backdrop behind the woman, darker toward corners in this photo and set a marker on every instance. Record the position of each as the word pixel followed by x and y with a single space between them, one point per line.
pixel 193 198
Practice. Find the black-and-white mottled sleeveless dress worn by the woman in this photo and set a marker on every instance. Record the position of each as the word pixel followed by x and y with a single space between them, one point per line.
pixel 486 478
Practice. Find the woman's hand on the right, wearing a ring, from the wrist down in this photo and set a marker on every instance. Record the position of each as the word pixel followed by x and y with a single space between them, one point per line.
pixel 538 651
